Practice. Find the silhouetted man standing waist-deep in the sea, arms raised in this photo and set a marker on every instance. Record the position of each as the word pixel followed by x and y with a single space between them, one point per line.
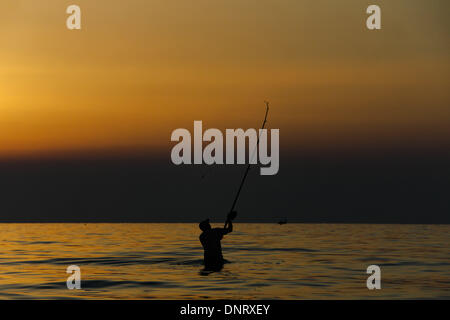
pixel 210 239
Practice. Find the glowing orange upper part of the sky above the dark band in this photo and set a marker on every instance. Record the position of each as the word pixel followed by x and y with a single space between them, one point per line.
pixel 139 69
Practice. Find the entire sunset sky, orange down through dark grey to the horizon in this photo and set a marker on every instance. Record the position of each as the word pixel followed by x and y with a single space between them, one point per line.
pixel 364 116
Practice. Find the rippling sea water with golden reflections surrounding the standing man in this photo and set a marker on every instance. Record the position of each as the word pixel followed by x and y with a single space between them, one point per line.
pixel 163 261
